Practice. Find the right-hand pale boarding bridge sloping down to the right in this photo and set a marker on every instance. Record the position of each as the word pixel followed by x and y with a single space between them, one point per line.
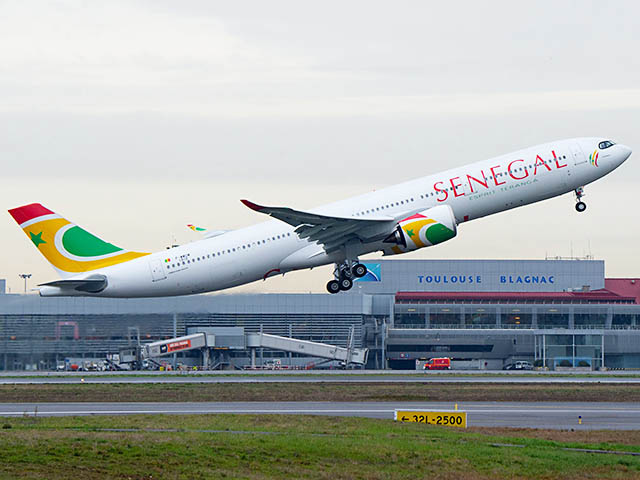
pixel 305 347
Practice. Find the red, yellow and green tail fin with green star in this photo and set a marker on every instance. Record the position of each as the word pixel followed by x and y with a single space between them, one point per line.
pixel 67 247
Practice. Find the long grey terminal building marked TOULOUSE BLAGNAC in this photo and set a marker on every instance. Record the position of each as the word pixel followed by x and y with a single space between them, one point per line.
pixel 480 313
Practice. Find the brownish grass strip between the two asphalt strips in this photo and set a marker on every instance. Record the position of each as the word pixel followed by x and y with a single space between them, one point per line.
pixel 225 392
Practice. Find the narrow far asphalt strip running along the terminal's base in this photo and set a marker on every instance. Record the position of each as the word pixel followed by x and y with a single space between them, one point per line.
pixel 315 378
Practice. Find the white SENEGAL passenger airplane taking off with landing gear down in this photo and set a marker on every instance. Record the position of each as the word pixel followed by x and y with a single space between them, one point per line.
pixel 420 213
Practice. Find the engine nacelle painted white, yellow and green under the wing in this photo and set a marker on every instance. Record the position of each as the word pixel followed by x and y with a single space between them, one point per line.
pixel 424 229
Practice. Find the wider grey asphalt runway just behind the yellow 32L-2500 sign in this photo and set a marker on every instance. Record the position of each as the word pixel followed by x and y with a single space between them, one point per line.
pixel 595 416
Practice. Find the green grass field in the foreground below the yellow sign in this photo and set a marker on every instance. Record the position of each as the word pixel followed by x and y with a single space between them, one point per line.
pixel 256 447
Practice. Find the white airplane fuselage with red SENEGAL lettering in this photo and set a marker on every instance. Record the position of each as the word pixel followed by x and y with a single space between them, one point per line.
pixel 271 248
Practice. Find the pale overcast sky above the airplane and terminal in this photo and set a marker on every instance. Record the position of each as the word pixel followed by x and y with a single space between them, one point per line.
pixel 135 118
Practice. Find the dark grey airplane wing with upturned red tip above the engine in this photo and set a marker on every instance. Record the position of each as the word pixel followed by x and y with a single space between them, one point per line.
pixel 331 232
